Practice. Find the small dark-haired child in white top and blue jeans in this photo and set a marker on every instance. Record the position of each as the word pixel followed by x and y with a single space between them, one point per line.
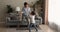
pixel 32 21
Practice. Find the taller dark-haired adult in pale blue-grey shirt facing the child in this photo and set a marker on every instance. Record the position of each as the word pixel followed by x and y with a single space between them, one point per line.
pixel 26 11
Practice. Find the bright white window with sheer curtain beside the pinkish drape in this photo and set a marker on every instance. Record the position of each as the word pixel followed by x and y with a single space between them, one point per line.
pixel 54 13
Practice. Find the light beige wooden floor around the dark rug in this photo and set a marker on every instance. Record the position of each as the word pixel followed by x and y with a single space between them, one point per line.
pixel 44 28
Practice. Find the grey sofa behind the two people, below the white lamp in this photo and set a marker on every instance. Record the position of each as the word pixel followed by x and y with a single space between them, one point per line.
pixel 15 21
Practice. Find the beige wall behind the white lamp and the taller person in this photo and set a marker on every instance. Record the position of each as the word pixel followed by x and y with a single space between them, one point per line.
pixel 13 3
